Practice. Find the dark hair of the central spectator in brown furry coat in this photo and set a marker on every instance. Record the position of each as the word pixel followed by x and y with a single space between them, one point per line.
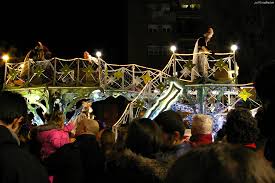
pixel 144 137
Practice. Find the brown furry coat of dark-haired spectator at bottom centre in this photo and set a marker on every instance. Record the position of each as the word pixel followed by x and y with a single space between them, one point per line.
pixel 127 166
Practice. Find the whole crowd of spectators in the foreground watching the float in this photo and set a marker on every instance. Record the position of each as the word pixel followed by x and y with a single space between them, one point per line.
pixel 164 149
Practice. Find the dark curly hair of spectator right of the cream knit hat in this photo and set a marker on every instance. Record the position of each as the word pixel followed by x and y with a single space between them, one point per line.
pixel 241 127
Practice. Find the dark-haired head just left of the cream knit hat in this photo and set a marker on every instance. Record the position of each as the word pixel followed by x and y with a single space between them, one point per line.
pixel 170 121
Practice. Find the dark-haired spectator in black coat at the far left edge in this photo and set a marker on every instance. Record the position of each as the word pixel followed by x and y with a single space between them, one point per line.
pixel 16 165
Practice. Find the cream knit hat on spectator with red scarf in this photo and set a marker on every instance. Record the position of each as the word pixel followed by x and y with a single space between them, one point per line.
pixel 201 124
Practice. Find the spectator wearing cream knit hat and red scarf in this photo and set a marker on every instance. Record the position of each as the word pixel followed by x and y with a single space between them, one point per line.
pixel 202 126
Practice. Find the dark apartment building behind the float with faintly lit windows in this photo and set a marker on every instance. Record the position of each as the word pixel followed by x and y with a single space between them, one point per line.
pixel 155 25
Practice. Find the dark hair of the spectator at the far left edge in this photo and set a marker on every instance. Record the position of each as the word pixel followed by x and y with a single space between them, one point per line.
pixel 12 105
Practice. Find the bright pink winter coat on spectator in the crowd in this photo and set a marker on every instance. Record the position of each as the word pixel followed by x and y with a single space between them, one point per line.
pixel 52 138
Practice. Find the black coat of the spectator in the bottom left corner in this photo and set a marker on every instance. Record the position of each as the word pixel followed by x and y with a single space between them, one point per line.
pixel 17 165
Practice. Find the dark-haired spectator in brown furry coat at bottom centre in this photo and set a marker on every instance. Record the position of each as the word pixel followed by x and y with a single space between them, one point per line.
pixel 136 163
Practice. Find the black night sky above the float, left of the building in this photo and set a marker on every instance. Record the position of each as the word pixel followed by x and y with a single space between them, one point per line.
pixel 67 29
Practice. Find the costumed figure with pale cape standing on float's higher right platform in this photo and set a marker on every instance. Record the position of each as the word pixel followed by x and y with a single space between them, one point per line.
pixel 200 55
